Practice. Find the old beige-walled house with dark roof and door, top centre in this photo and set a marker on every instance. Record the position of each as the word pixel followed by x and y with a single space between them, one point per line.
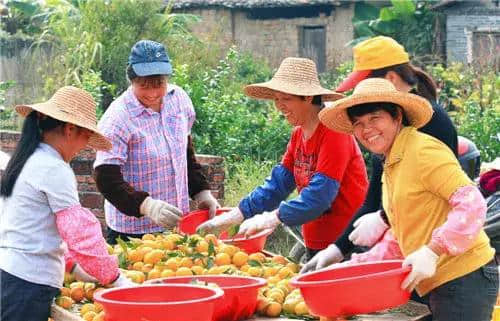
pixel 275 29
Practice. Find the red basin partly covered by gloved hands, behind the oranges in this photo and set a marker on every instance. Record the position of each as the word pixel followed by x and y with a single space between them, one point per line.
pixel 252 244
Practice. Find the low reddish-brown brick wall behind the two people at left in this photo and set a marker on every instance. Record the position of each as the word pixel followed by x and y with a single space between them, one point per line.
pixel 213 168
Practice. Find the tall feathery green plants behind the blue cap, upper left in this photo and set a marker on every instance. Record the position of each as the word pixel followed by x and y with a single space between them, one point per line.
pixel 95 37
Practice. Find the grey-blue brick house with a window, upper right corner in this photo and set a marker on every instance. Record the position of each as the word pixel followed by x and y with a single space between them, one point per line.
pixel 472 31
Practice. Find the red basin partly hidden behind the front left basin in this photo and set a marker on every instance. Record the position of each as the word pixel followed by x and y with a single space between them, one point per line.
pixel 240 294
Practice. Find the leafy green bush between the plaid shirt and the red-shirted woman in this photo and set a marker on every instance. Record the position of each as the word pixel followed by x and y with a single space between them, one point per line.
pixel 229 123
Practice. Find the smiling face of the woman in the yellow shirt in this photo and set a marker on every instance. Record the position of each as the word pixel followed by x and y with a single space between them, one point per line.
pixel 377 130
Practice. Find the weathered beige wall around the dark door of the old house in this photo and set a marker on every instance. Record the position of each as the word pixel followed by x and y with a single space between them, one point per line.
pixel 275 39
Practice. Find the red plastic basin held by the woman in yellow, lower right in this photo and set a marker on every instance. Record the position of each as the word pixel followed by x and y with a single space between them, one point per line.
pixel 353 289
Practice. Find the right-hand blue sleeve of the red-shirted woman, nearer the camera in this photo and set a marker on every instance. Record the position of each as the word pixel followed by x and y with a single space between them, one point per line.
pixel 312 201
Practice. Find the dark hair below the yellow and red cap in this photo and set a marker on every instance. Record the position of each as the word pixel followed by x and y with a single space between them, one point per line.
pixel 414 76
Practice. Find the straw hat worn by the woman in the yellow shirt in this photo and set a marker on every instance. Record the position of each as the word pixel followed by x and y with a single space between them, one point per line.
pixel 373 90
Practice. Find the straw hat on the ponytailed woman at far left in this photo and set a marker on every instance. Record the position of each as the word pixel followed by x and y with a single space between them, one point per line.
pixel 72 105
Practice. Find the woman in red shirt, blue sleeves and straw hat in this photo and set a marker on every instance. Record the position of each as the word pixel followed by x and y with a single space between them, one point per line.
pixel 325 167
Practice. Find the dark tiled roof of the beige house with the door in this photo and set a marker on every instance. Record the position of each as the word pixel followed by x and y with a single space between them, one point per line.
pixel 179 4
